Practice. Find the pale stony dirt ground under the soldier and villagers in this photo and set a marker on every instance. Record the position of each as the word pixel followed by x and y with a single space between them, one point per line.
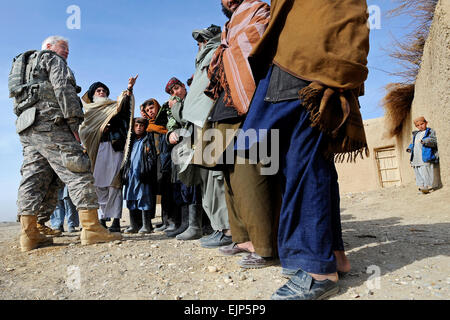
pixel 397 240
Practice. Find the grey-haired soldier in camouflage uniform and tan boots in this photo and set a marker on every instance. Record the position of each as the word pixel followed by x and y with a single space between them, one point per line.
pixel 51 146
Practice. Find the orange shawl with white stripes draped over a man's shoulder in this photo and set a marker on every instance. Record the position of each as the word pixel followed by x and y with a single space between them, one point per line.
pixel 229 68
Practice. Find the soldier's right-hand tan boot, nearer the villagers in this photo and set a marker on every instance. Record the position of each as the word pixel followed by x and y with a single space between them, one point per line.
pixel 93 232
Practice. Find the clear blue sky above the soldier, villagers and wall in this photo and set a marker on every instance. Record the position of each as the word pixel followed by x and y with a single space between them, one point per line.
pixel 151 38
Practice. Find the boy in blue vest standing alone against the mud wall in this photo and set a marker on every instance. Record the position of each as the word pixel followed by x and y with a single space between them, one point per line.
pixel 424 154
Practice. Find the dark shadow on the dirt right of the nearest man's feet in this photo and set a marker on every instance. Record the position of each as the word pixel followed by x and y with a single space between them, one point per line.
pixel 389 245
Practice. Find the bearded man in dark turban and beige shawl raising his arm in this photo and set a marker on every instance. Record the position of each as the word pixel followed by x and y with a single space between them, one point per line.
pixel 106 133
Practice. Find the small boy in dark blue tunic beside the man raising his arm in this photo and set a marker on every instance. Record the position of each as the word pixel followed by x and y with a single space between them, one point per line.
pixel 140 179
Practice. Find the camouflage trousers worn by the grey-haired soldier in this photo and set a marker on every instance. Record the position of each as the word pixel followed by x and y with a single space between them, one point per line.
pixel 51 151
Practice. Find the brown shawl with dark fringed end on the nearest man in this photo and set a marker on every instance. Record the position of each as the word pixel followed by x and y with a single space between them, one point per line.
pixel 326 42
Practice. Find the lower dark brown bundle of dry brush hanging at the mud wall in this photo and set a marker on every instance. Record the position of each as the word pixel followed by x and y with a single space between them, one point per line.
pixel 397 105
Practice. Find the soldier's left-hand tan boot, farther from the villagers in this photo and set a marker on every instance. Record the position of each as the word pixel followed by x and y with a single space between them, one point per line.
pixel 30 237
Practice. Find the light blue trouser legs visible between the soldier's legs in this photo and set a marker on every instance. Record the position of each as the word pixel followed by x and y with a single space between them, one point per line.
pixel 64 209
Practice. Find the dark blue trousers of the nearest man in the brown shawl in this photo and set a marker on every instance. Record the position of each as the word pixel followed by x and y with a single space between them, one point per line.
pixel 310 226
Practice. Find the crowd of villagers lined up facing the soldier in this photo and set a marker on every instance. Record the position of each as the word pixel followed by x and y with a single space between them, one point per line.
pixel 294 66
